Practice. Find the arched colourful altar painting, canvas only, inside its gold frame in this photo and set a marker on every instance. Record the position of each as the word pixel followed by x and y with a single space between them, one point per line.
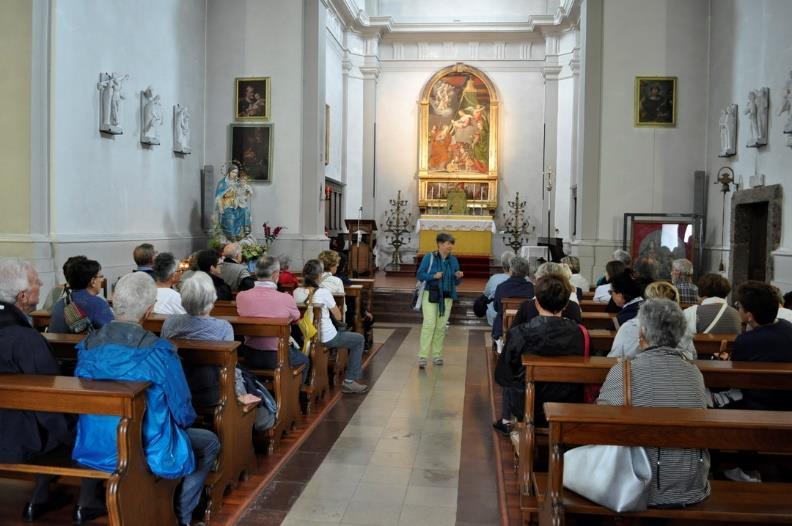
pixel 459 124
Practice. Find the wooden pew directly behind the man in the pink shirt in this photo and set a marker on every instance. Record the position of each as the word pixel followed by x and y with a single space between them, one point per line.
pixel 284 381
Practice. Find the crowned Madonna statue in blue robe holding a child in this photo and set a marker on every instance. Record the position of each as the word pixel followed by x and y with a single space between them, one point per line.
pixel 232 205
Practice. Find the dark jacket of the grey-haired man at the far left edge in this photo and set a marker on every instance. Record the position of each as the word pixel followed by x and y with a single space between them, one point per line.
pixel 26 434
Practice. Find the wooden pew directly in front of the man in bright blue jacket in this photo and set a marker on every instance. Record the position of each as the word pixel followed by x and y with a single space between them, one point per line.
pixel 231 421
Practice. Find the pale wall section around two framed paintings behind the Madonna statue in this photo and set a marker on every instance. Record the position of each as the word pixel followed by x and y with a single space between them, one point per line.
pixel 259 38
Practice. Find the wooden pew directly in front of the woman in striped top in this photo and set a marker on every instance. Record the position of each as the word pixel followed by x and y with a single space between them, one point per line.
pixel 576 369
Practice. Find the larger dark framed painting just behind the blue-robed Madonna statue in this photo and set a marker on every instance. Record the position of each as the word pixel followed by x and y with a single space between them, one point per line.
pixel 251 147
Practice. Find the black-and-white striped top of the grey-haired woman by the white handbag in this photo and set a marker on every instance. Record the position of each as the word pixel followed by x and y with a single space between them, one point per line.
pixel 661 377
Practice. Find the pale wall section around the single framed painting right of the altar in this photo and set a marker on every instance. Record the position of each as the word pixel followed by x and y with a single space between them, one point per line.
pixel 651 169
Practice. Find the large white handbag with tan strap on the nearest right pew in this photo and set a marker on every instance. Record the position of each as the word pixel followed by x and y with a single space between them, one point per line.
pixel 616 477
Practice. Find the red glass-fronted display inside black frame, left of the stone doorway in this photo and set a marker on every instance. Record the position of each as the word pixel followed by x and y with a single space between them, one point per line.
pixel 664 241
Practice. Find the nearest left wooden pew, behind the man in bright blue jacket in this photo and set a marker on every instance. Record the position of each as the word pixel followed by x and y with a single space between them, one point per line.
pixel 133 494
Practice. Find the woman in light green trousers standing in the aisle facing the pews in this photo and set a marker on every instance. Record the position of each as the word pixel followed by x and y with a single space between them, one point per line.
pixel 440 271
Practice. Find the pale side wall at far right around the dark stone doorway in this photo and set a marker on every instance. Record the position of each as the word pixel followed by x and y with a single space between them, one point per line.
pixel 751 47
